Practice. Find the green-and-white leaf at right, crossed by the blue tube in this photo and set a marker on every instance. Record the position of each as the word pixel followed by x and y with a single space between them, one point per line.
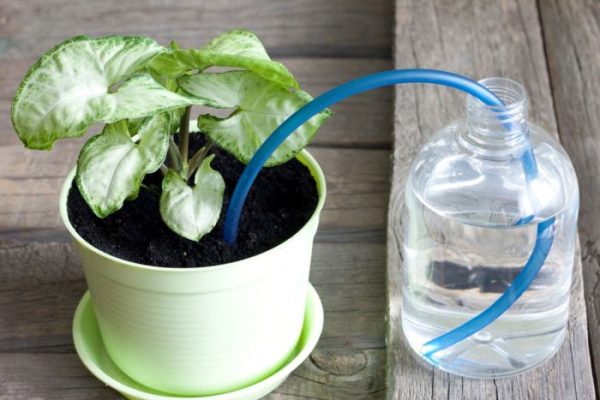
pixel 260 106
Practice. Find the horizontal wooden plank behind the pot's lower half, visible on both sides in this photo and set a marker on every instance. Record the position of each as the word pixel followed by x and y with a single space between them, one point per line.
pixel 39 293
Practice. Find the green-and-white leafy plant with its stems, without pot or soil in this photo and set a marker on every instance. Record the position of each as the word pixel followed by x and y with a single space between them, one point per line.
pixel 143 92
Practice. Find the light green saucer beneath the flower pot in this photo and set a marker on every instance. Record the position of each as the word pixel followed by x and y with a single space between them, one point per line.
pixel 91 351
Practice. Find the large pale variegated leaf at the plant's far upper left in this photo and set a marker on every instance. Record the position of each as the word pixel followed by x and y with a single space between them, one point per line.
pixel 64 91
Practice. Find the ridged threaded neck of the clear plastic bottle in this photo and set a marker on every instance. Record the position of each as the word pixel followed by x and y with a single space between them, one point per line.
pixel 498 132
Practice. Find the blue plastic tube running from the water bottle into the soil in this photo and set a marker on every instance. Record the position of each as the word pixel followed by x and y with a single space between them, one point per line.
pixel 545 233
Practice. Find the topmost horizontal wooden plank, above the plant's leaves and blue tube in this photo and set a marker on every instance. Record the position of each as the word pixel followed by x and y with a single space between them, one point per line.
pixel 298 28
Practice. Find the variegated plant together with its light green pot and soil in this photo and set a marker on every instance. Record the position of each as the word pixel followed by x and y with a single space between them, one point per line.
pixel 178 310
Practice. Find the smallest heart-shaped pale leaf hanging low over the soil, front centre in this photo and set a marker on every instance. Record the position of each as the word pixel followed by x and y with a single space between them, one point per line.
pixel 192 212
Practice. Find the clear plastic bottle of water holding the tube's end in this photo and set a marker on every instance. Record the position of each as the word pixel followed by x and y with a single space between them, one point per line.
pixel 462 245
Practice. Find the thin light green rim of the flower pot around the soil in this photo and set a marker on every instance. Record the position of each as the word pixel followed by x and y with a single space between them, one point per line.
pixel 304 157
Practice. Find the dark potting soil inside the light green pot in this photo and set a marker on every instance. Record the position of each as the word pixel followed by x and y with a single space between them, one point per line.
pixel 281 201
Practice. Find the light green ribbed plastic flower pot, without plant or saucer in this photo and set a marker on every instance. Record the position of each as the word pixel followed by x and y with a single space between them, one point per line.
pixel 201 331
